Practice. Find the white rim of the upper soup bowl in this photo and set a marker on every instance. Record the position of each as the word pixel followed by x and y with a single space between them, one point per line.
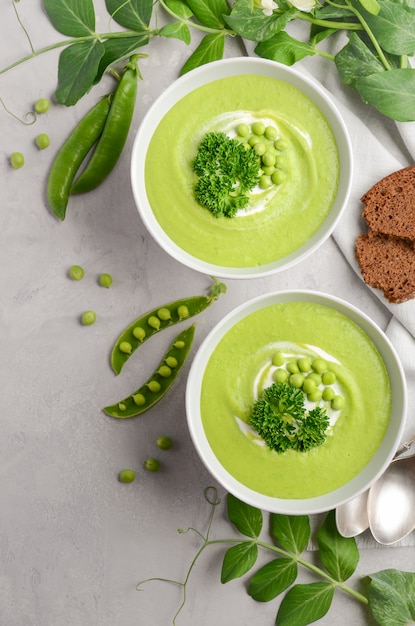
pixel 198 78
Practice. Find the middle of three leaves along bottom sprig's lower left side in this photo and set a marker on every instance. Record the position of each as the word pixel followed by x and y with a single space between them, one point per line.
pixel 272 579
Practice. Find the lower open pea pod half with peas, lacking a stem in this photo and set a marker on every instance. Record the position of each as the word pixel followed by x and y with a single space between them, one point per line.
pixel 159 383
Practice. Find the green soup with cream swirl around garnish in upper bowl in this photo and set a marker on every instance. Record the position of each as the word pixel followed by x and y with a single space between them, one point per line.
pixel 278 221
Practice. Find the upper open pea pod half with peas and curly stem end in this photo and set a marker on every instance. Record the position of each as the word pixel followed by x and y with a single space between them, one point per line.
pixel 153 321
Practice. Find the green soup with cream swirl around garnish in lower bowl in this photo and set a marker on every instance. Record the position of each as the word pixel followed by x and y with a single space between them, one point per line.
pixel 241 366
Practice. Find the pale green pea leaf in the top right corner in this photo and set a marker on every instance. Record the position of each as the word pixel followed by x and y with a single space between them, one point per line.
pixel 393 27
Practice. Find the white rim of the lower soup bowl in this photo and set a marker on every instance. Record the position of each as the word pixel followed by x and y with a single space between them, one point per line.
pixel 376 465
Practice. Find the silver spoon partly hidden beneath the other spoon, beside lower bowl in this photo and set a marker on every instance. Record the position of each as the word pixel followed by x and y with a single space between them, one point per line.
pixel 352 517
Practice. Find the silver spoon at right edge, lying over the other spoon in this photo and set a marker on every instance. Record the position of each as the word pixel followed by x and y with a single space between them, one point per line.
pixel 391 501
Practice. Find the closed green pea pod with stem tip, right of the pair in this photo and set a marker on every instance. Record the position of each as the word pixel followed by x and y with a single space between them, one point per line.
pixel 115 132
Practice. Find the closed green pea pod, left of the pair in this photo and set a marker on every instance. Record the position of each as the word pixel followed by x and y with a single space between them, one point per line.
pixel 71 155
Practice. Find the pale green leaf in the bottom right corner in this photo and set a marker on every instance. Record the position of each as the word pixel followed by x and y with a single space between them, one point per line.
pixel 391 596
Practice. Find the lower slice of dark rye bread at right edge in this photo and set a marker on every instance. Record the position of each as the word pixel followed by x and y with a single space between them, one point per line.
pixel 387 263
